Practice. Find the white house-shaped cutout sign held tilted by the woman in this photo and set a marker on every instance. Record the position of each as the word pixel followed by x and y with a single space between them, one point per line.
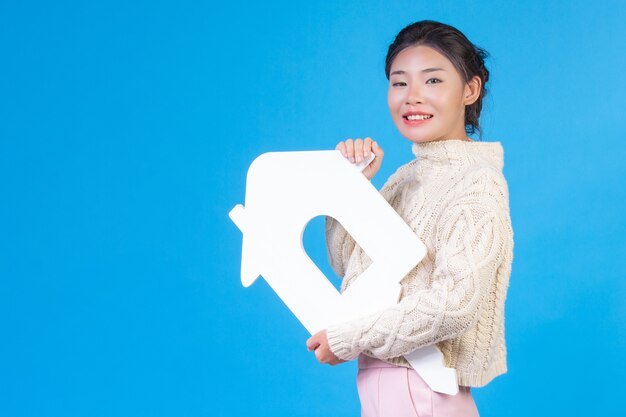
pixel 284 191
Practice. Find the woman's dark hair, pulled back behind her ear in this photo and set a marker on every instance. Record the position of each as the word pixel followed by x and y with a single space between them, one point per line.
pixel 467 58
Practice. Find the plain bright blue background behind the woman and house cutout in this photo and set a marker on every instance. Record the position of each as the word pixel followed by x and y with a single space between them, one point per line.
pixel 126 130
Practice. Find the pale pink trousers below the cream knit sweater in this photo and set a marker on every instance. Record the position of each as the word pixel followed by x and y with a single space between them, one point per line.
pixel 394 391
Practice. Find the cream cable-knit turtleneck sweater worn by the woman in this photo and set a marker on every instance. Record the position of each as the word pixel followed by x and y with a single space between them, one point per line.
pixel 455 198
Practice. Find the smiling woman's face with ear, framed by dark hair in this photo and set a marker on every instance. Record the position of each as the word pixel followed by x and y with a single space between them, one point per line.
pixel 427 96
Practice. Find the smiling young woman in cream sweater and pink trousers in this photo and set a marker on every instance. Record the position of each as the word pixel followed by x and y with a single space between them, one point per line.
pixel 455 198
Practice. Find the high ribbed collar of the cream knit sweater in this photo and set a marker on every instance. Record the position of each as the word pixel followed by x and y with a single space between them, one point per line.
pixel 455 152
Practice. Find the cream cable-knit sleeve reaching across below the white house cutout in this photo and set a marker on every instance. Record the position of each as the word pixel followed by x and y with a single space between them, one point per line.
pixel 468 250
